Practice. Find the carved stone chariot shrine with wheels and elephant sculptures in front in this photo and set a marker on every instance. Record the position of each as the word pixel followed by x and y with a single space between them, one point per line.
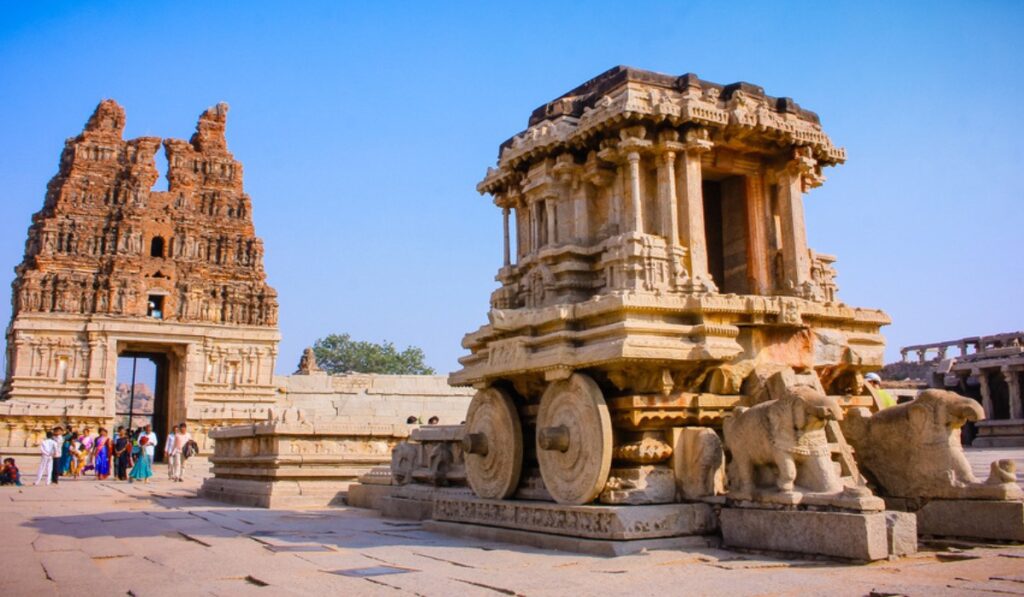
pixel 666 359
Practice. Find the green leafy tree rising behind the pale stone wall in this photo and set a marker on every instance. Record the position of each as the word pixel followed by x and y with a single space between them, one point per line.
pixel 339 354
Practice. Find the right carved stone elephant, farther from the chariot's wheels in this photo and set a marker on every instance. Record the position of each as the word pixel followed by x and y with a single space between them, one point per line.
pixel 914 450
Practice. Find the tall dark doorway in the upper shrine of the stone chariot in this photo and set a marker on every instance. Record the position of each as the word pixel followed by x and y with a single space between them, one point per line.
pixel 726 232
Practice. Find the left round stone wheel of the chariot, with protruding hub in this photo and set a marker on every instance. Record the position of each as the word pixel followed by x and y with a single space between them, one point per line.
pixel 493 445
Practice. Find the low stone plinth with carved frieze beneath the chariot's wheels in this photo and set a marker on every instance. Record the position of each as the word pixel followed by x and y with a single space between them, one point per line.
pixel 595 530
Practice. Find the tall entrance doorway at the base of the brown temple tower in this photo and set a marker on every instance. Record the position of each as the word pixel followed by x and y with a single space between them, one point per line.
pixel 142 395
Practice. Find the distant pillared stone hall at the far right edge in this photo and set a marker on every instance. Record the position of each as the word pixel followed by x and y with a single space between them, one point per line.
pixel 990 369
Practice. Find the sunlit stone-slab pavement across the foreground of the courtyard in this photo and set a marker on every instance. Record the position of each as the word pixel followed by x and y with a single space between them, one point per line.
pixel 90 538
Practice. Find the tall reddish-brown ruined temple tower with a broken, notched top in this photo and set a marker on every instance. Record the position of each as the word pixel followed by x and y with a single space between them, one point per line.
pixel 114 269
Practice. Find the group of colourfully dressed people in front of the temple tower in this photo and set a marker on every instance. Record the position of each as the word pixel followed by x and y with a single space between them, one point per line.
pixel 130 456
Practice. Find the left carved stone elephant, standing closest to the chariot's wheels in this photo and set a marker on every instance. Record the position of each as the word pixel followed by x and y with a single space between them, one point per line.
pixel 787 435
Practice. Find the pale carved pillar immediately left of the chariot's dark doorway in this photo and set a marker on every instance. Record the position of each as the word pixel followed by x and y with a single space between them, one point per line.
pixel 693 206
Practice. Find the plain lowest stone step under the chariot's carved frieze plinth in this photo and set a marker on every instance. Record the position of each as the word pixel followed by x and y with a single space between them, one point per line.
pixel 594 547
